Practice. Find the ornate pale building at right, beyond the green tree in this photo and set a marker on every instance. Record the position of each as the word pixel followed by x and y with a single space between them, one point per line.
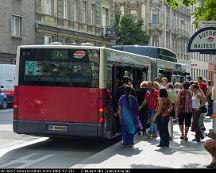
pixel 170 28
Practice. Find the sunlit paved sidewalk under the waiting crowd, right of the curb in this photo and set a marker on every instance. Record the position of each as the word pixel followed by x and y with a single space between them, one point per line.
pixel 145 154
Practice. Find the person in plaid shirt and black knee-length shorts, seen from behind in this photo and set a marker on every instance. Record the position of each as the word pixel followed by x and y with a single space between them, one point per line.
pixel 184 109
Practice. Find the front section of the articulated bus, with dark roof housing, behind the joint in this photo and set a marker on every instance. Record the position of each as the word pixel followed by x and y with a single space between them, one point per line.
pixel 164 63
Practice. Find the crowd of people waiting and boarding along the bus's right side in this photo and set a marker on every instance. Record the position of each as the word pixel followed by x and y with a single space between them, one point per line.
pixel 152 109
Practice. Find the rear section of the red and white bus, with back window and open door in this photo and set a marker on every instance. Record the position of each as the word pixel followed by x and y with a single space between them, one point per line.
pixel 67 90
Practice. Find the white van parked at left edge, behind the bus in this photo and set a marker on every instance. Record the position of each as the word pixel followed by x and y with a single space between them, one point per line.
pixel 7 80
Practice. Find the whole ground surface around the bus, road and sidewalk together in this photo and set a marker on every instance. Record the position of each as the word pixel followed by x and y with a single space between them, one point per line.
pixel 23 151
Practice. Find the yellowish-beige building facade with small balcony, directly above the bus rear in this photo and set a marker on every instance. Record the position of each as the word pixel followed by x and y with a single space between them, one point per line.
pixel 75 21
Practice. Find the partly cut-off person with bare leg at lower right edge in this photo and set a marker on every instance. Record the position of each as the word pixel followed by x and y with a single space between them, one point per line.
pixel 210 146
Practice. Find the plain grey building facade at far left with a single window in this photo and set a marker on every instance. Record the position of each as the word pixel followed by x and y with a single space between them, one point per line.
pixel 17 27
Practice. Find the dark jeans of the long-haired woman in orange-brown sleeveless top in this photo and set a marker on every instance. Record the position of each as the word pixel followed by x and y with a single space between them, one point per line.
pixel 163 131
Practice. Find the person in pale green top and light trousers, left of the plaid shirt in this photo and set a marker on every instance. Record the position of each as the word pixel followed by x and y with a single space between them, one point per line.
pixel 172 97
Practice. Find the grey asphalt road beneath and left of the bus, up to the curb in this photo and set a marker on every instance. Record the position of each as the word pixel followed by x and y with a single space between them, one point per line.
pixel 24 151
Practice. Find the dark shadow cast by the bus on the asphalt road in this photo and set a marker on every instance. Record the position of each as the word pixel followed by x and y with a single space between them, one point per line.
pixel 68 151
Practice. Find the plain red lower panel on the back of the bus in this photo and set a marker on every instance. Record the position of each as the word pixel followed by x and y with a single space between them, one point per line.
pixel 57 104
